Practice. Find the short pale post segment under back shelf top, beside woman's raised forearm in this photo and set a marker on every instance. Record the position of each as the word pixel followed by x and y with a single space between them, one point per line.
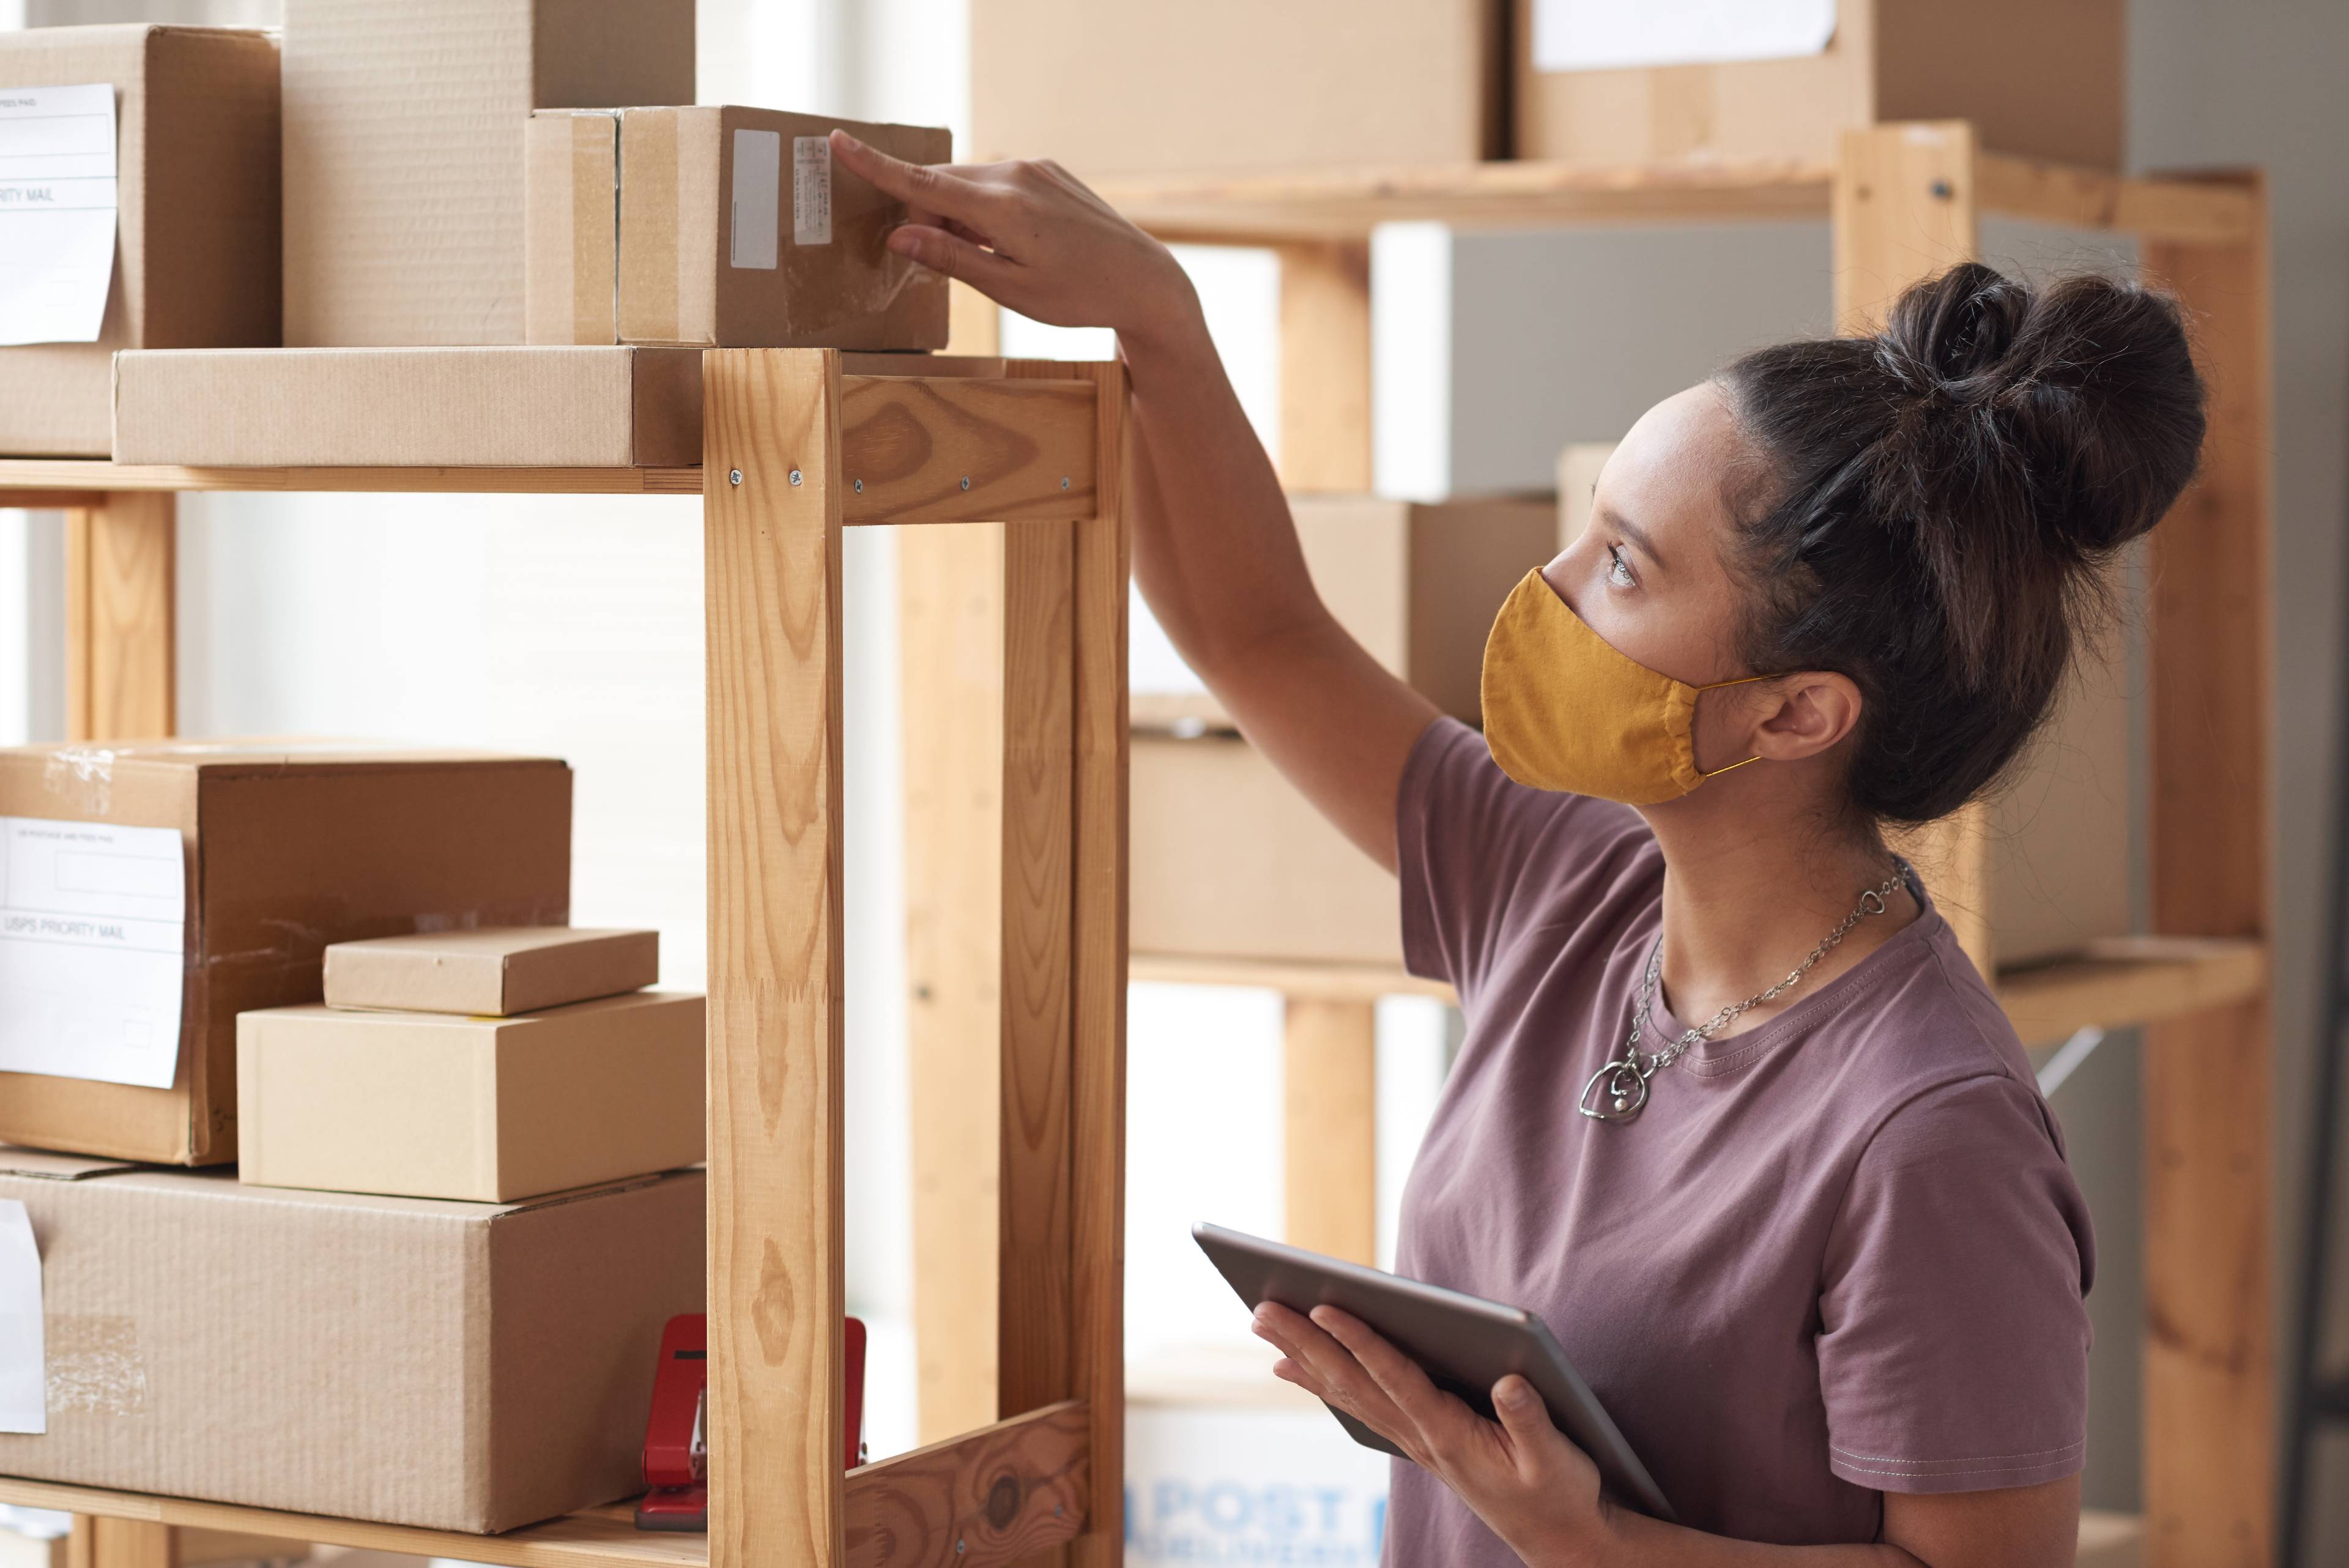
pixel 1326 368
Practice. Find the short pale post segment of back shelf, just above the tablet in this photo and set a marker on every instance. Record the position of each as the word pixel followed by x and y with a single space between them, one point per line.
pixel 1331 1127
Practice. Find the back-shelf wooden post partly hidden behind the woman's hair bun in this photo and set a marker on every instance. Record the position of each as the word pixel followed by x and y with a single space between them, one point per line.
pixel 1904 208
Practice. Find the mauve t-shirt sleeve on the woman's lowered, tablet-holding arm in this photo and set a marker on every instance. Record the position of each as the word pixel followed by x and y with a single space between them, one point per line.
pixel 1953 1348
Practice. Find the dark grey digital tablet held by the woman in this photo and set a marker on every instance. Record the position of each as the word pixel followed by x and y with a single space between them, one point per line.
pixel 1462 1341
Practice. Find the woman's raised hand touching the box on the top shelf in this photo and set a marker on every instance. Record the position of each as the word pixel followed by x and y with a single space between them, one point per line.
pixel 1035 239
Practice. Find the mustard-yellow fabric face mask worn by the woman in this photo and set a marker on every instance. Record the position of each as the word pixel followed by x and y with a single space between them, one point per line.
pixel 1566 711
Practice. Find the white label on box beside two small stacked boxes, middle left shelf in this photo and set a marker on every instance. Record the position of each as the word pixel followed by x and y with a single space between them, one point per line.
pixel 93 937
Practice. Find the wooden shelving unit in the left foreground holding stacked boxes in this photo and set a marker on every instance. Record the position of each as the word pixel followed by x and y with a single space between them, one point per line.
pixel 800 445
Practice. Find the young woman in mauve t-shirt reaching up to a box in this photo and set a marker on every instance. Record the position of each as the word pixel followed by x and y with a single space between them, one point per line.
pixel 1735 1113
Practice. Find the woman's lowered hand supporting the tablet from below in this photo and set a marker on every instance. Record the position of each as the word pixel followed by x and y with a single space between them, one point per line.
pixel 1521 1475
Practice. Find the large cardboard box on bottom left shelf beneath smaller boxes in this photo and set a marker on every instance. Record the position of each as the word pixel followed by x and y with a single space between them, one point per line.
pixel 462 1367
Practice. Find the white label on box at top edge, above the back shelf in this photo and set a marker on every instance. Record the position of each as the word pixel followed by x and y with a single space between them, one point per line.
pixel 1622 34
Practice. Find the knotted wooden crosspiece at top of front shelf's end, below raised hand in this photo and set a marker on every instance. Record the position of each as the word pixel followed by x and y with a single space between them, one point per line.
pixel 938 450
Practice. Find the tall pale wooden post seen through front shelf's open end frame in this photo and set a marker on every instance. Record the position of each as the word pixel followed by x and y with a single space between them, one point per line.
pixel 950 650
